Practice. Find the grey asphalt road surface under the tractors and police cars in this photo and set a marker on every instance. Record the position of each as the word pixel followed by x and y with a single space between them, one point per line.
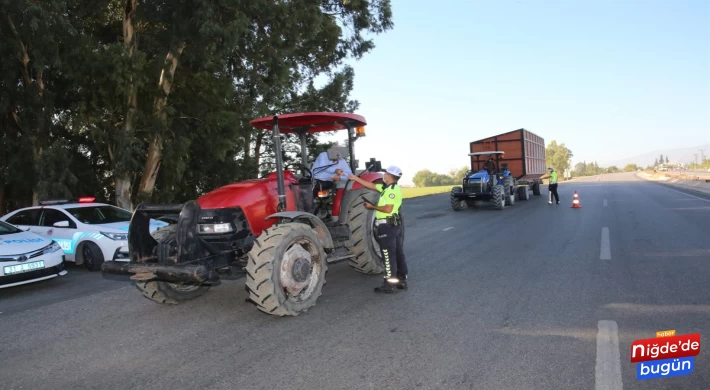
pixel 531 297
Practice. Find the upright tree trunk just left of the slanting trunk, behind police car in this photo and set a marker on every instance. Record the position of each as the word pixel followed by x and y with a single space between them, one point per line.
pixel 123 180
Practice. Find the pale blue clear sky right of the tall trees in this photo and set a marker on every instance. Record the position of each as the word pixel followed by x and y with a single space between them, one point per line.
pixel 609 78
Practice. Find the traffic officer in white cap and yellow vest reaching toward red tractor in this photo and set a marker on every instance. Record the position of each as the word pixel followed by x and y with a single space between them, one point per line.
pixel 388 224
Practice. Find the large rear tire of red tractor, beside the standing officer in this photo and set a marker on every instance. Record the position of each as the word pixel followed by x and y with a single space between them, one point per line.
pixel 367 256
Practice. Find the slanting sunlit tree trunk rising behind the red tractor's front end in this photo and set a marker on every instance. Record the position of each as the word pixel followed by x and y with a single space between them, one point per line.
pixel 155 149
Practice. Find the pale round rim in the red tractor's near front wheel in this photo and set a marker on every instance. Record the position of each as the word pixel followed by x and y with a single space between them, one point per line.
pixel 300 270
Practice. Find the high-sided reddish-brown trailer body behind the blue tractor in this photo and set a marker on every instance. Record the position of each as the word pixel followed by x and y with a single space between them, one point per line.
pixel 524 152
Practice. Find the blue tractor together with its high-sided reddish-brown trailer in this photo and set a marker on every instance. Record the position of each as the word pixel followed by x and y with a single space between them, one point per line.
pixel 504 167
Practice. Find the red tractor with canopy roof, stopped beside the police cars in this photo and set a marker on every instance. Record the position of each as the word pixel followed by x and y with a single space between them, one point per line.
pixel 264 230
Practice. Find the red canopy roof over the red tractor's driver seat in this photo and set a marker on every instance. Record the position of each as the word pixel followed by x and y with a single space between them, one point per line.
pixel 311 122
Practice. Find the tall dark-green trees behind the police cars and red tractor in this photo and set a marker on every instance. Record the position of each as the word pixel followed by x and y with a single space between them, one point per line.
pixel 151 100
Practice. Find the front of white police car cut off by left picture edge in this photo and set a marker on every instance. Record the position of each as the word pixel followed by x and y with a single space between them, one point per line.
pixel 26 257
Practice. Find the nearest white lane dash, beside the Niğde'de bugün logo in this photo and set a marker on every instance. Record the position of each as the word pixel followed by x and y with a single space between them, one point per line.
pixel 608 368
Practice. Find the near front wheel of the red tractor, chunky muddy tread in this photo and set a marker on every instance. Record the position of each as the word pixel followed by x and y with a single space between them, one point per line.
pixel 286 269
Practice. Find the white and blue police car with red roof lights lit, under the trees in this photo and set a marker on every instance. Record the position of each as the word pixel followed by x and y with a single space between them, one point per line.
pixel 88 232
